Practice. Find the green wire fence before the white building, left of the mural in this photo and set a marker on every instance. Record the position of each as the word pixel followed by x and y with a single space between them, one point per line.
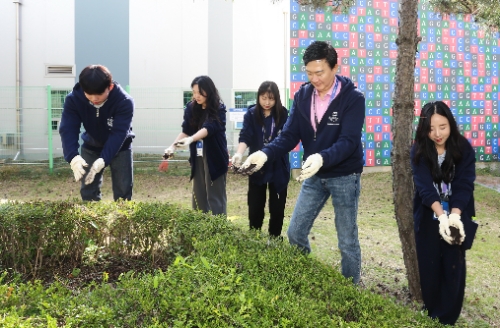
pixel 30 121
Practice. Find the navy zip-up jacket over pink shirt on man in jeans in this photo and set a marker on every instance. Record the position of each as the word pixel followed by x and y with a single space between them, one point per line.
pixel 338 136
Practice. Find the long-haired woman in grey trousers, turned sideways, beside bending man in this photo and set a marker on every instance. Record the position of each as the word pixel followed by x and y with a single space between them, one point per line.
pixel 204 131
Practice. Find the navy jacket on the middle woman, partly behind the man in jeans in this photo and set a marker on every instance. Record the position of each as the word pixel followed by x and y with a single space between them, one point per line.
pixel 277 172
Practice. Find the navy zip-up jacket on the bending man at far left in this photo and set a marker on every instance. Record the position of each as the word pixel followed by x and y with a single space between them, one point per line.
pixel 107 129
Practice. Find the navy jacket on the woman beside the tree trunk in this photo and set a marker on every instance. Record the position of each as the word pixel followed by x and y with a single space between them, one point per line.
pixel 462 190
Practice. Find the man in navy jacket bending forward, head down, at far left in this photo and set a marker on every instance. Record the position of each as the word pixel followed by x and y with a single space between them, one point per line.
pixel 106 111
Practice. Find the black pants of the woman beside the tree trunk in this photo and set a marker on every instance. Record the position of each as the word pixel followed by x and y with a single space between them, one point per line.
pixel 442 273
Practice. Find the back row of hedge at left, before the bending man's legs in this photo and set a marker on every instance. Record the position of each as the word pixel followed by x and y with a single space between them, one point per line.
pixel 39 234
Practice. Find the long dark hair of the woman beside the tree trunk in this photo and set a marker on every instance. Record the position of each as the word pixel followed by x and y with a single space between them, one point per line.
pixel 426 148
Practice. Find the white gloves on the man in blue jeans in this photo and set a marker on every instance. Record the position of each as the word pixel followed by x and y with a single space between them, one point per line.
pixel 311 166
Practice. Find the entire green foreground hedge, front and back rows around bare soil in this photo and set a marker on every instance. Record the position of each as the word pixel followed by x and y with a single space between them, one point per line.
pixel 217 275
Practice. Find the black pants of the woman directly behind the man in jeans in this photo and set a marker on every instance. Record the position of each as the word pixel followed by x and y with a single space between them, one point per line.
pixel 257 203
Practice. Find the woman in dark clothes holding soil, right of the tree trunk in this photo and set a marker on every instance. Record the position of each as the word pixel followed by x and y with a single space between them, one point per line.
pixel 443 165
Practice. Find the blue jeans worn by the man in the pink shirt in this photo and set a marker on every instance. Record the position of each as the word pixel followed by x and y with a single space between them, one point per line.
pixel 345 195
